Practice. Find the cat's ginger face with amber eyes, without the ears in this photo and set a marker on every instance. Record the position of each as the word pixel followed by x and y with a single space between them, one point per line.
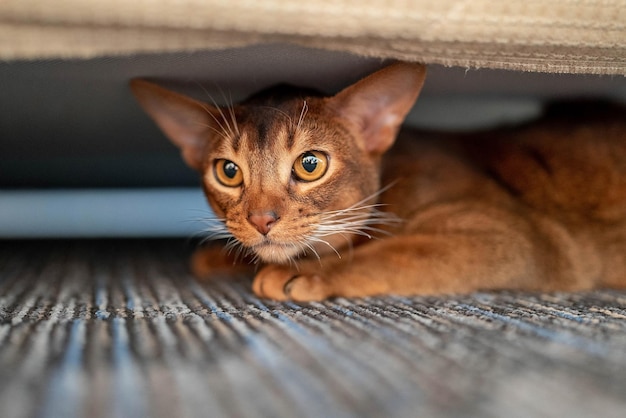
pixel 289 180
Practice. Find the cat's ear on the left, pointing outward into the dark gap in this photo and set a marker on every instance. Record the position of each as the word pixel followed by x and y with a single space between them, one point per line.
pixel 186 122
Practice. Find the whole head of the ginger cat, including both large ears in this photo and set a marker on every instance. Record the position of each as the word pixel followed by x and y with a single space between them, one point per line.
pixel 289 171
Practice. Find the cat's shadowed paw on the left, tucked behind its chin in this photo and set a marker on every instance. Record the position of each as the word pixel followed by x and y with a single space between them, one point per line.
pixel 214 261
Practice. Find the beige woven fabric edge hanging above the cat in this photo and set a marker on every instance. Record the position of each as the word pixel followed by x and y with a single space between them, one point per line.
pixel 561 36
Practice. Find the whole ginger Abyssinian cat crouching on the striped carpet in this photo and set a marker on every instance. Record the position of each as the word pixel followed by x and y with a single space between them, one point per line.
pixel 333 199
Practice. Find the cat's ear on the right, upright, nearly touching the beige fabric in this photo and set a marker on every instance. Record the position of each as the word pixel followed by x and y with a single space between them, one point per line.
pixel 378 104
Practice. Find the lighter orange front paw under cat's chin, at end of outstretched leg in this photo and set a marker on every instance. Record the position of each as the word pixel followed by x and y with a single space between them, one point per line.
pixel 286 283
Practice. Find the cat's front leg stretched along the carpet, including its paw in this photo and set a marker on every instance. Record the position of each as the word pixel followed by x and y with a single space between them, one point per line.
pixel 418 264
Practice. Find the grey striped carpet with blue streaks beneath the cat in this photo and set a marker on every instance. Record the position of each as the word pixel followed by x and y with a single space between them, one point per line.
pixel 120 329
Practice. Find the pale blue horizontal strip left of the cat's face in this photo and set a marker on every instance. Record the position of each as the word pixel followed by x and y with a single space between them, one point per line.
pixel 95 213
